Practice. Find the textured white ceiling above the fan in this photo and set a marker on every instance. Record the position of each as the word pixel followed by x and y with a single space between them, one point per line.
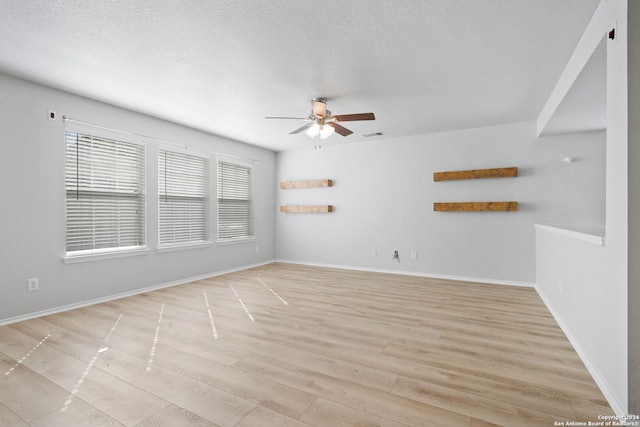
pixel 223 65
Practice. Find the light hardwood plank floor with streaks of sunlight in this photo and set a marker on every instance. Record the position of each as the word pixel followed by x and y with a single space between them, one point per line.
pixel 288 345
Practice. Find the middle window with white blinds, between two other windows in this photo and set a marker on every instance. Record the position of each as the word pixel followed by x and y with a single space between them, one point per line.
pixel 183 198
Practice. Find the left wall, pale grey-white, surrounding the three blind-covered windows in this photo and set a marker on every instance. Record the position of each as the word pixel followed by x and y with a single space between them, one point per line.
pixel 32 205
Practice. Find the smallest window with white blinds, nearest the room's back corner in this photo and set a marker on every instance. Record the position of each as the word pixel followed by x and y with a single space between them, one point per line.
pixel 235 201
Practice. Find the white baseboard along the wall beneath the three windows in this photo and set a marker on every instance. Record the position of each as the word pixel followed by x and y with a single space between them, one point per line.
pixel 124 294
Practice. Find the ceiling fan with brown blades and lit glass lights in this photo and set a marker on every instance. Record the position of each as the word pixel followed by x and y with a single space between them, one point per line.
pixel 322 122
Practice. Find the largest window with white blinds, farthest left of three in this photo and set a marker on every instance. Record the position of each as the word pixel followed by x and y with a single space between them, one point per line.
pixel 105 197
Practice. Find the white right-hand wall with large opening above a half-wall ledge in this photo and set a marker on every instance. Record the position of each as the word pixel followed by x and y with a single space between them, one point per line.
pixel 585 286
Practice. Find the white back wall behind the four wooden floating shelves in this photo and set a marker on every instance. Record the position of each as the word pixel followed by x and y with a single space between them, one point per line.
pixel 384 192
